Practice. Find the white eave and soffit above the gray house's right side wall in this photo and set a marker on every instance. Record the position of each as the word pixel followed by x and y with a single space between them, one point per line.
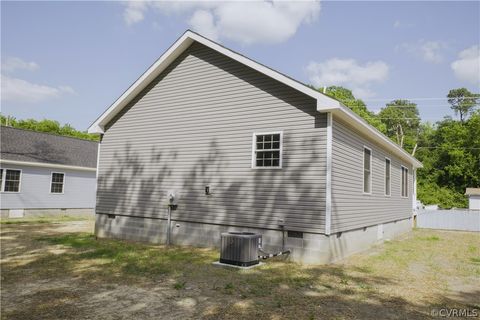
pixel 350 117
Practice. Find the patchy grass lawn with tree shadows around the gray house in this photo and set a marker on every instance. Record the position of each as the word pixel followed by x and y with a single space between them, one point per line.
pixel 60 271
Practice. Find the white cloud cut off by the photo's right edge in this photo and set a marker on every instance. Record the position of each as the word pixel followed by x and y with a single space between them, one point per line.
pixel 467 66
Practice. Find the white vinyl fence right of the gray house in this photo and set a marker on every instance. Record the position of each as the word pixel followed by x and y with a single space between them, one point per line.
pixel 455 219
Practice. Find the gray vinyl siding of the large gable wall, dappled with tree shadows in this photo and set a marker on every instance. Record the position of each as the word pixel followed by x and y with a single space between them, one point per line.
pixel 193 127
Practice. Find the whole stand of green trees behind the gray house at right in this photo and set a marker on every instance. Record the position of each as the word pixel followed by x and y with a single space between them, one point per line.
pixel 448 149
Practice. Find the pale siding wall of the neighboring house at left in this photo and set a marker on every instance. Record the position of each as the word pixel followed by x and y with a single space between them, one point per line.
pixel 79 190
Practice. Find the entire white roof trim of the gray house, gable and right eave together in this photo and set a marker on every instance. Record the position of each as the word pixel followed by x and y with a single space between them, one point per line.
pixel 324 103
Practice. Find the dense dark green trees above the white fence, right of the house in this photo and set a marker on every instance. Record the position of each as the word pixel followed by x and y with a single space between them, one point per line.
pixel 450 153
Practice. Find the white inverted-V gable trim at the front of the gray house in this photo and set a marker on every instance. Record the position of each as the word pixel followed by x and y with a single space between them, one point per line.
pixel 178 48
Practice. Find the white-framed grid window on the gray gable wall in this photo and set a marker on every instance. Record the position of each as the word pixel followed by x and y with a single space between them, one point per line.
pixel 267 150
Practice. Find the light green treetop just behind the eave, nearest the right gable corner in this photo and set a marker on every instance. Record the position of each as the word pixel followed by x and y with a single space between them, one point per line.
pixel 346 97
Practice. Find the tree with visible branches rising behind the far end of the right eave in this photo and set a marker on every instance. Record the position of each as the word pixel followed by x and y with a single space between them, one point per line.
pixel 402 122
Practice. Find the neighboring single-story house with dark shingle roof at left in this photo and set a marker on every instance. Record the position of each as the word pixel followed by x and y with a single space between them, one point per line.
pixel 43 174
